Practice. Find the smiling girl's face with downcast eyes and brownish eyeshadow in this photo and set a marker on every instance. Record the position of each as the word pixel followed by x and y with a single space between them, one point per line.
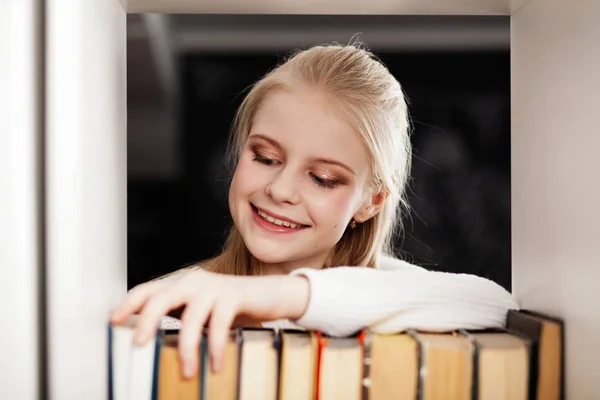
pixel 302 176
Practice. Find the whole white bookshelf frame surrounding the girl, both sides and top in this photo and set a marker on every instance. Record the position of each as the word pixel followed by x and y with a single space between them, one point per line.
pixel 63 218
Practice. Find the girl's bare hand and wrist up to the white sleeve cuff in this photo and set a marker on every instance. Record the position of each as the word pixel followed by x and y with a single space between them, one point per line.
pixel 220 298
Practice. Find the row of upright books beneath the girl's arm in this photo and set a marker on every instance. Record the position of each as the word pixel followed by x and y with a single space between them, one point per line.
pixel 523 361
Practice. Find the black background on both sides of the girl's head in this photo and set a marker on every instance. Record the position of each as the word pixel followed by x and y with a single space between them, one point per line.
pixel 459 192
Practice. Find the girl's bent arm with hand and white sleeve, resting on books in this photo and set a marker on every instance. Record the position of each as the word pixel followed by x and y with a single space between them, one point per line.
pixel 337 301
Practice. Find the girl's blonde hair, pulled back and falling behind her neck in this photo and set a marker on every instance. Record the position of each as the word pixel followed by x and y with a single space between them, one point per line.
pixel 371 100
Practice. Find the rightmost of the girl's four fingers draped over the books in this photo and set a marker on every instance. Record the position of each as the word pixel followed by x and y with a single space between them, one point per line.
pixel 220 324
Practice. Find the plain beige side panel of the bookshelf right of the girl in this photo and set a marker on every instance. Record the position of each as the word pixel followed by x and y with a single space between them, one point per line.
pixel 554 118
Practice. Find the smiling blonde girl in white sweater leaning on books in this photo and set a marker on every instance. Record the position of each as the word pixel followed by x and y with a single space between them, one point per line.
pixel 322 155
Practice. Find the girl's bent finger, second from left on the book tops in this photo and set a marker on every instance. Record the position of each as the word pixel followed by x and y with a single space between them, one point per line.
pixel 155 308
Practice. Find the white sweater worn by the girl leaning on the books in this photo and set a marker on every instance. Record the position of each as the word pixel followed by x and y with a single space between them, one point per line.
pixel 394 297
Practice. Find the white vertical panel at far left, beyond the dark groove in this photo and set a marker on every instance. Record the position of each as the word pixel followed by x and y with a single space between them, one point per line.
pixel 19 204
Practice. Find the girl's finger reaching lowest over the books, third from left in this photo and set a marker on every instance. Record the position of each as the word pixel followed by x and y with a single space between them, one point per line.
pixel 192 321
